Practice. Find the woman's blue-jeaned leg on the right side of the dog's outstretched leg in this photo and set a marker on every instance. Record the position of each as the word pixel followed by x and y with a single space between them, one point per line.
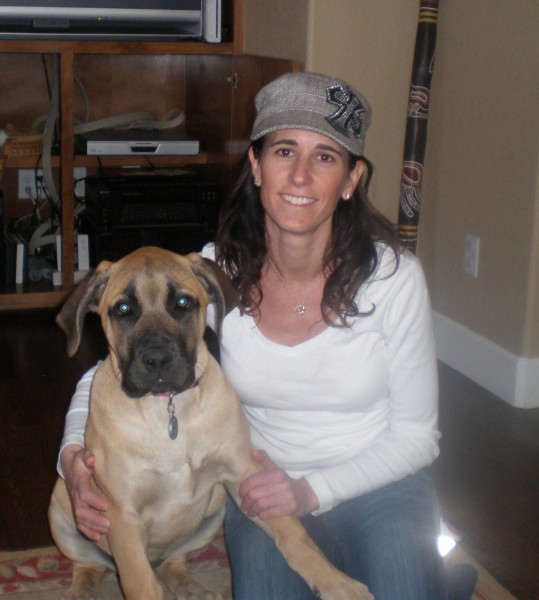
pixel 388 540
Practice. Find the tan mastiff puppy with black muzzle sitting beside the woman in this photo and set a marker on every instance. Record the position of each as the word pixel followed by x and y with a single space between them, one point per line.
pixel 168 433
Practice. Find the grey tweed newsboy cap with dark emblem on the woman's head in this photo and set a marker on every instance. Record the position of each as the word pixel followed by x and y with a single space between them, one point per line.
pixel 314 102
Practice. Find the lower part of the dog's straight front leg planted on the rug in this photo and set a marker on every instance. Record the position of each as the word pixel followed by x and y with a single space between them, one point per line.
pixel 126 540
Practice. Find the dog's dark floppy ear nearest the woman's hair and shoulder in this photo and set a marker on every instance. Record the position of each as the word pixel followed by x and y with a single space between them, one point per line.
pixel 216 283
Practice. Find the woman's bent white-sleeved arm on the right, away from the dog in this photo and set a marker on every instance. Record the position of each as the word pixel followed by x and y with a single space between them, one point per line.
pixel 411 440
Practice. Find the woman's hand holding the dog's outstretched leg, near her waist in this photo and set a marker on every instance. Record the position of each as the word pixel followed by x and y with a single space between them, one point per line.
pixel 272 493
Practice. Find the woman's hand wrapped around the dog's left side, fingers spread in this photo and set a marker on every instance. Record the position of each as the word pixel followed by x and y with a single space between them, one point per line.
pixel 86 502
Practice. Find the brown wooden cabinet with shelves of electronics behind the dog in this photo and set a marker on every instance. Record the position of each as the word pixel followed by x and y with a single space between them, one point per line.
pixel 214 84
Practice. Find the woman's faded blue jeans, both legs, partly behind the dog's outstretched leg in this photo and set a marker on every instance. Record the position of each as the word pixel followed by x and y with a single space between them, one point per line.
pixel 385 539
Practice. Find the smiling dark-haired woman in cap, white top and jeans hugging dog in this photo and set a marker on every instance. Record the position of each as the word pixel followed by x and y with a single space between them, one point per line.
pixel 331 354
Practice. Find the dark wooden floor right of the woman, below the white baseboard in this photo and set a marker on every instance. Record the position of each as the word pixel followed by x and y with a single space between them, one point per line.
pixel 488 480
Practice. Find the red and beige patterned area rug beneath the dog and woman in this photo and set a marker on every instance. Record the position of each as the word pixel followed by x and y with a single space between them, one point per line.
pixel 43 574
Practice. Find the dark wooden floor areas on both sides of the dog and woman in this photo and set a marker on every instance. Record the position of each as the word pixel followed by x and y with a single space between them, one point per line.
pixel 487 475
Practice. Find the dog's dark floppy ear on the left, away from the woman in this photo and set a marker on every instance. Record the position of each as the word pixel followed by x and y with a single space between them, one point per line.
pixel 84 299
